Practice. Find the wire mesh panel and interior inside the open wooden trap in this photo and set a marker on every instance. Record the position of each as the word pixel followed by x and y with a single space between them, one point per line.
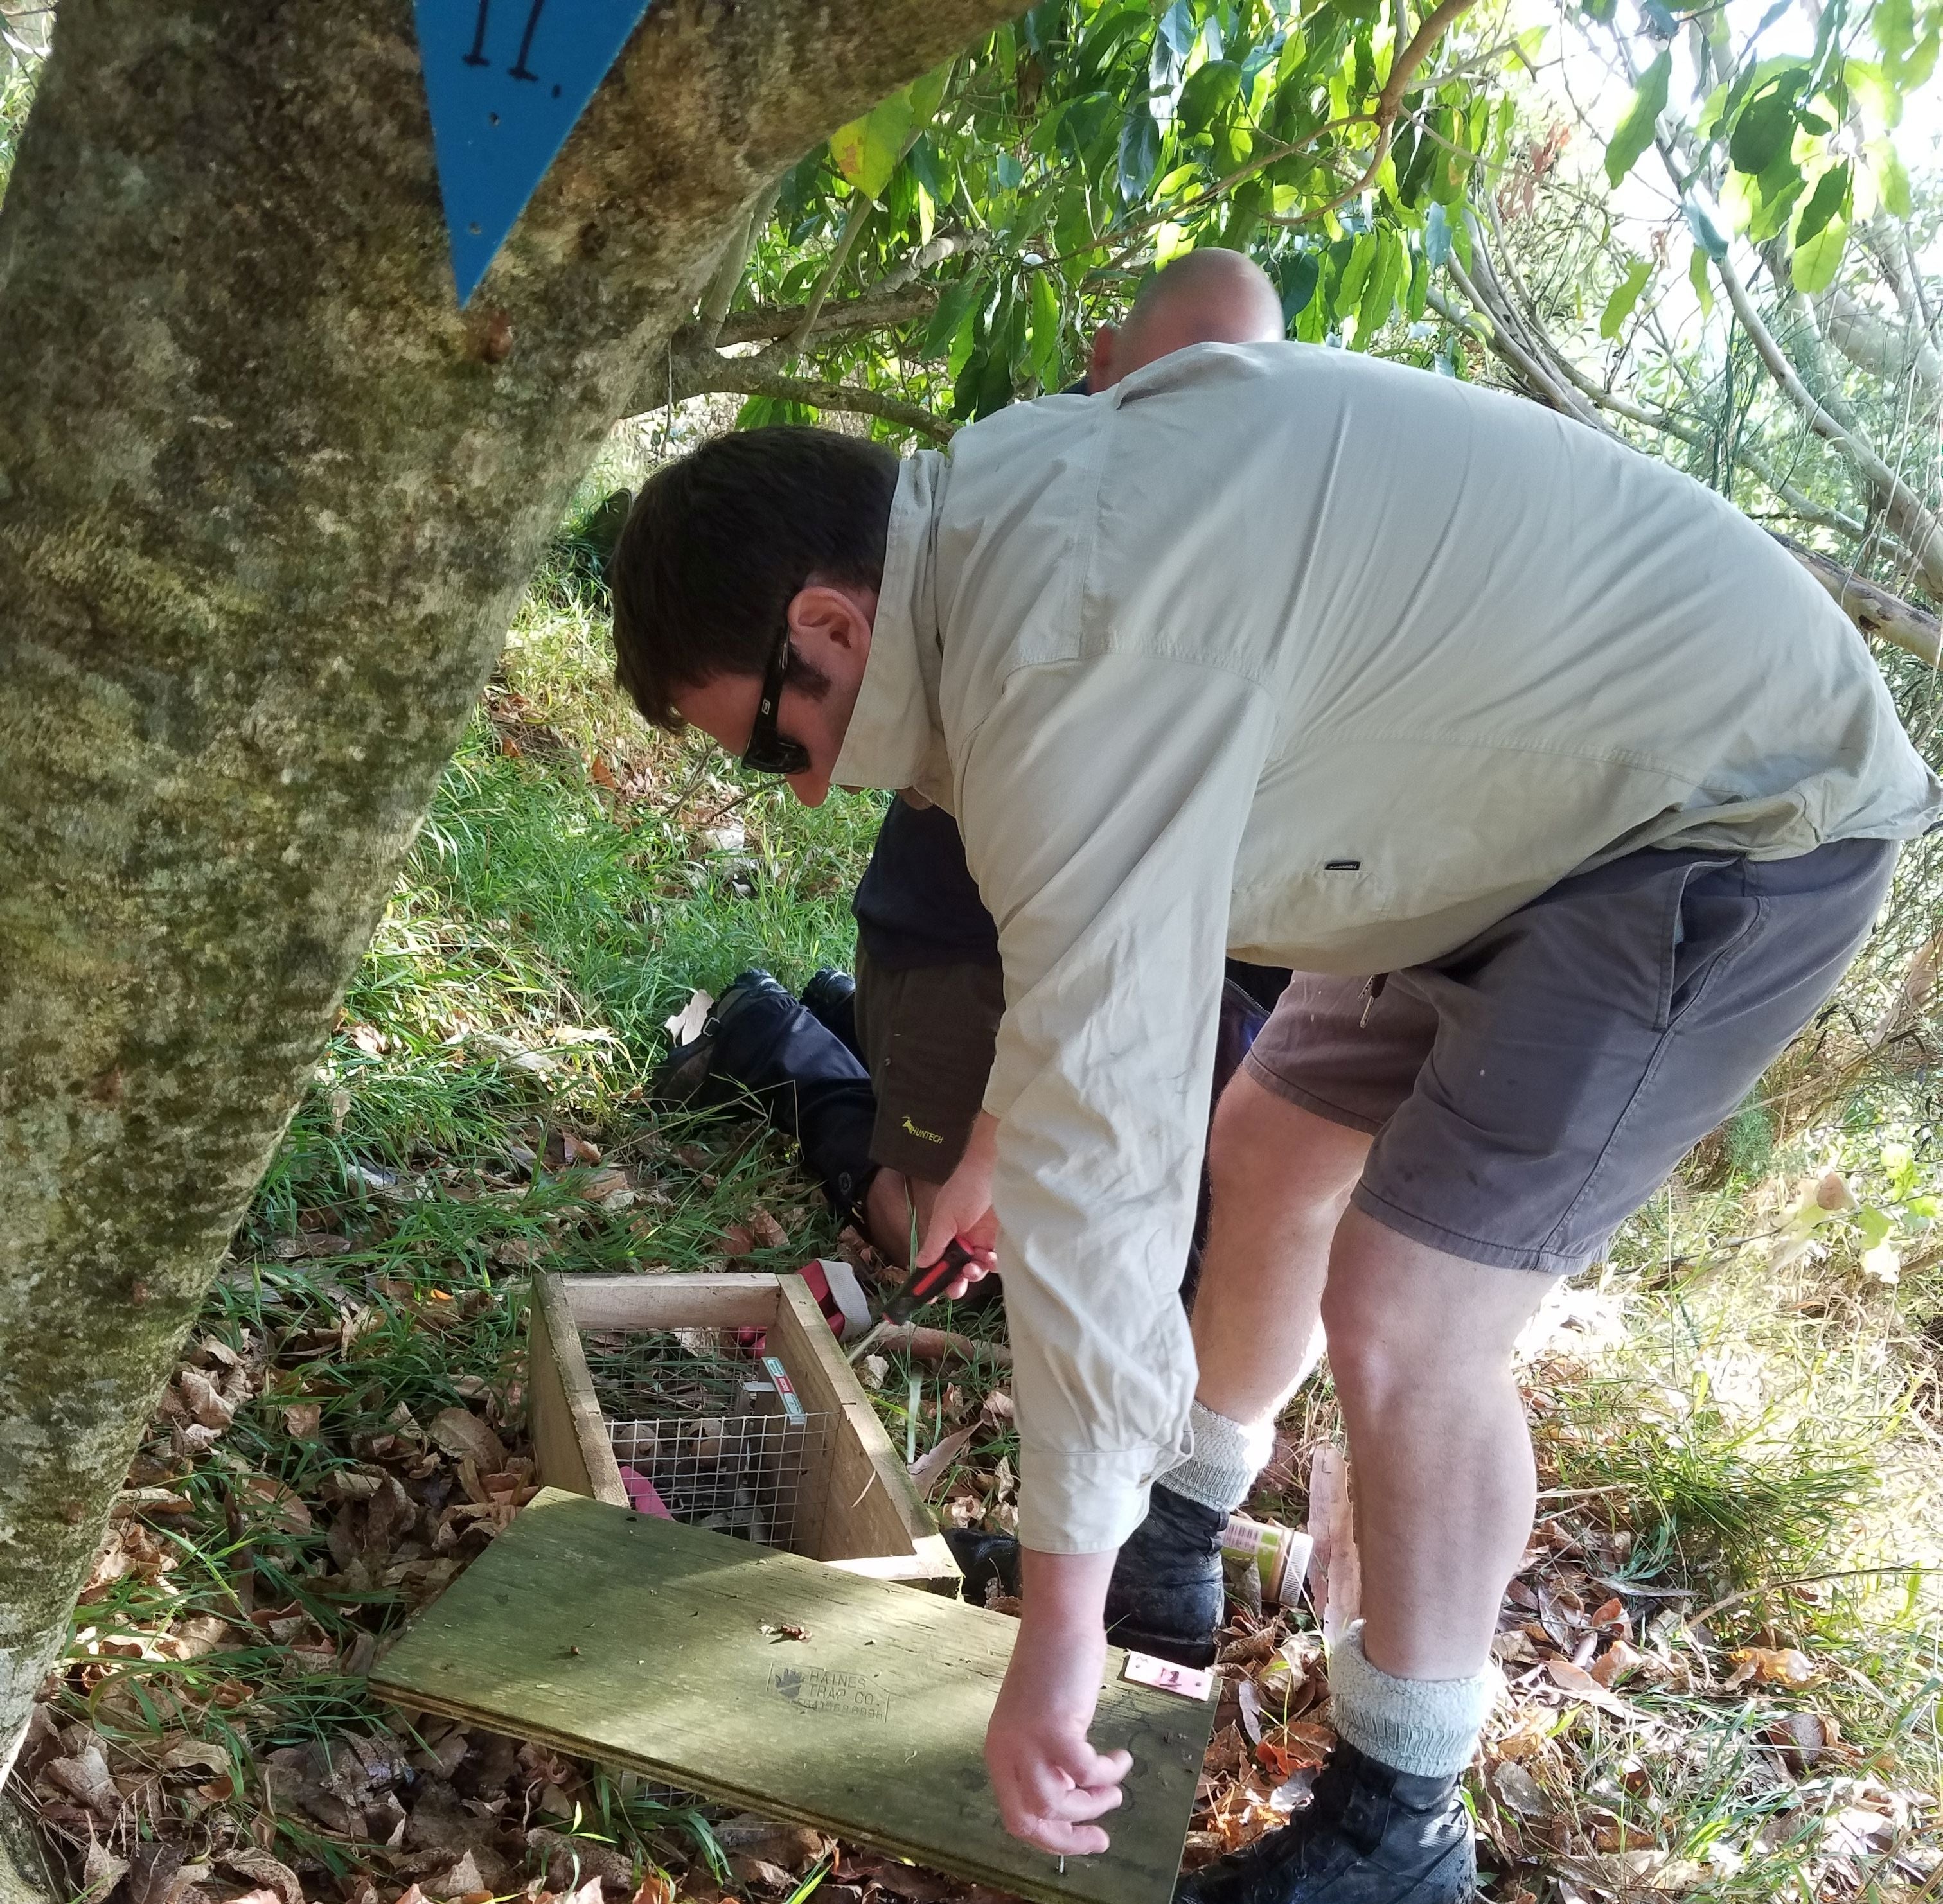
pixel 716 1431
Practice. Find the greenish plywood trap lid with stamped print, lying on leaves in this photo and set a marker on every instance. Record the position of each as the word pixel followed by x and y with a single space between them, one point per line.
pixel 786 1687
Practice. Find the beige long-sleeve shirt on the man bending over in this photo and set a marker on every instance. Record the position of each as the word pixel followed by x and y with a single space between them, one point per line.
pixel 1326 663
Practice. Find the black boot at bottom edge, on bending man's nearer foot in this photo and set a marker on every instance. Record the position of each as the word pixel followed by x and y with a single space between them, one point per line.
pixel 1373 1835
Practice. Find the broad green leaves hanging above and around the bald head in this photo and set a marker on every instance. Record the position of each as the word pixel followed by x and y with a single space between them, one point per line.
pixel 1093 139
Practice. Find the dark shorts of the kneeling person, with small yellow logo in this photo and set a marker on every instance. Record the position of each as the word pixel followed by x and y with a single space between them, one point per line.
pixel 928 1037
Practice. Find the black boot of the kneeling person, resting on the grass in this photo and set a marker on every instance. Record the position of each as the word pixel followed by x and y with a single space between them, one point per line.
pixel 761 1044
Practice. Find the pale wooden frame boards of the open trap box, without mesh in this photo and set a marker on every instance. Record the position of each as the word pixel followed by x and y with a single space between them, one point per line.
pixel 860 1509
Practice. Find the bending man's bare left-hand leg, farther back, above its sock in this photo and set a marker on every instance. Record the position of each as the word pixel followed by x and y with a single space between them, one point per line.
pixel 1279 1184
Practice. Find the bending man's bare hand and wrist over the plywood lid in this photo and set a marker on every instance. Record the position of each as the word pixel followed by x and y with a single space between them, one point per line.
pixel 1048 1779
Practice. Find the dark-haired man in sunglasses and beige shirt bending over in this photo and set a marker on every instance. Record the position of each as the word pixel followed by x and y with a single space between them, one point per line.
pixel 1565 792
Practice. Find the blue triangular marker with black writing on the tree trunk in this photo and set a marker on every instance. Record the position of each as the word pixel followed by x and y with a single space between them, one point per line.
pixel 506 81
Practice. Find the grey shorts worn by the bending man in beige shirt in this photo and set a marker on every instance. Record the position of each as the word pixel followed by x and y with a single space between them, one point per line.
pixel 1530 1091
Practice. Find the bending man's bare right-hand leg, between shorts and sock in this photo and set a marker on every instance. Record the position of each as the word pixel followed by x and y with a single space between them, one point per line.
pixel 1421 1353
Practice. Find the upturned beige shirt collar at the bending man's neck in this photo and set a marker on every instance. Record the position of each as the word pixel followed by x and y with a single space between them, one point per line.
pixel 895 739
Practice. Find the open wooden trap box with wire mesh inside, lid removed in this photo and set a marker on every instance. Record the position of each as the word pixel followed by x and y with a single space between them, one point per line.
pixel 644 1373
